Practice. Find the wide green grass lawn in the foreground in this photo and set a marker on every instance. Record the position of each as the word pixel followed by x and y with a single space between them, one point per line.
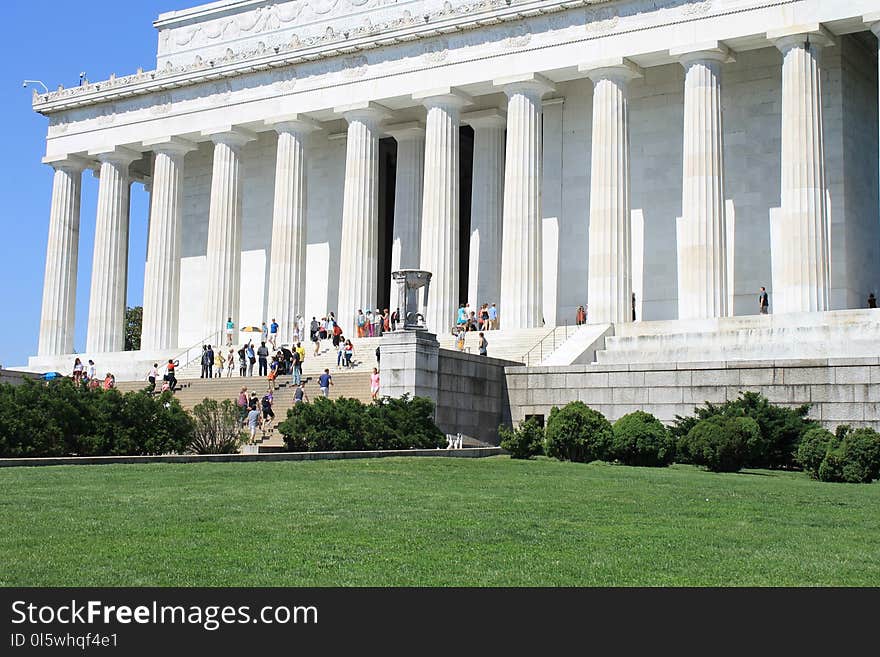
pixel 421 521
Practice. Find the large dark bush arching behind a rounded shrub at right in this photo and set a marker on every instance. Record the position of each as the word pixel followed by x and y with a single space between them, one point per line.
pixel 781 428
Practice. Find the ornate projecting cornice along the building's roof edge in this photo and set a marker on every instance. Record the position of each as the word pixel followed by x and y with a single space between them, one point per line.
pixel 471 14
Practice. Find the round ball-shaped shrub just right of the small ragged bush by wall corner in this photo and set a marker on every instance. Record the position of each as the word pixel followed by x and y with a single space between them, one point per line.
pixel 576 432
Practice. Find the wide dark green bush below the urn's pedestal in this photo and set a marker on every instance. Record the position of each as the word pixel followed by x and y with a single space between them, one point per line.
pixel 347 424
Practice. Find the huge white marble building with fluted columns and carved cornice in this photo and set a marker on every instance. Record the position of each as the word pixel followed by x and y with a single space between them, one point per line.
pixel 654 159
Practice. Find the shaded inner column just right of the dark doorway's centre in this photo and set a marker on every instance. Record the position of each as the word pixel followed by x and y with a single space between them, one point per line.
pixel 487 202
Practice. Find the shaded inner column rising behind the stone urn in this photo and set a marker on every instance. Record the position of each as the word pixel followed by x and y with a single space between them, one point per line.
pixel 408 188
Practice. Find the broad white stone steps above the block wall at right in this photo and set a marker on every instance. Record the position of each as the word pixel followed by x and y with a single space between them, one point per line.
pixel 831 334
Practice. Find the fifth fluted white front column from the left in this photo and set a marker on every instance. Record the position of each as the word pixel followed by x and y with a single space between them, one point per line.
pixel 287 264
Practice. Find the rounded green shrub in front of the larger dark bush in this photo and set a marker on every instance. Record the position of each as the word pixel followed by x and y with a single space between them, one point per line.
pixel 722 444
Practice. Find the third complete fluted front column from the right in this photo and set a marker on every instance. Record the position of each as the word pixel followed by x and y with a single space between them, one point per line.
pixel 609 287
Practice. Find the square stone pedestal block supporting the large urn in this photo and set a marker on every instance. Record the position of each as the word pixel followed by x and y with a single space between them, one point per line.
pixel 410 364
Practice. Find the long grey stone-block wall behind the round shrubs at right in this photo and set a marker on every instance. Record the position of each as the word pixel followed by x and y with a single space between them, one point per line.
pixel 842 391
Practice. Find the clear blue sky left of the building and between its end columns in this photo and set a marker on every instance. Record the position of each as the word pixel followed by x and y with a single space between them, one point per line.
pixel 53 41
